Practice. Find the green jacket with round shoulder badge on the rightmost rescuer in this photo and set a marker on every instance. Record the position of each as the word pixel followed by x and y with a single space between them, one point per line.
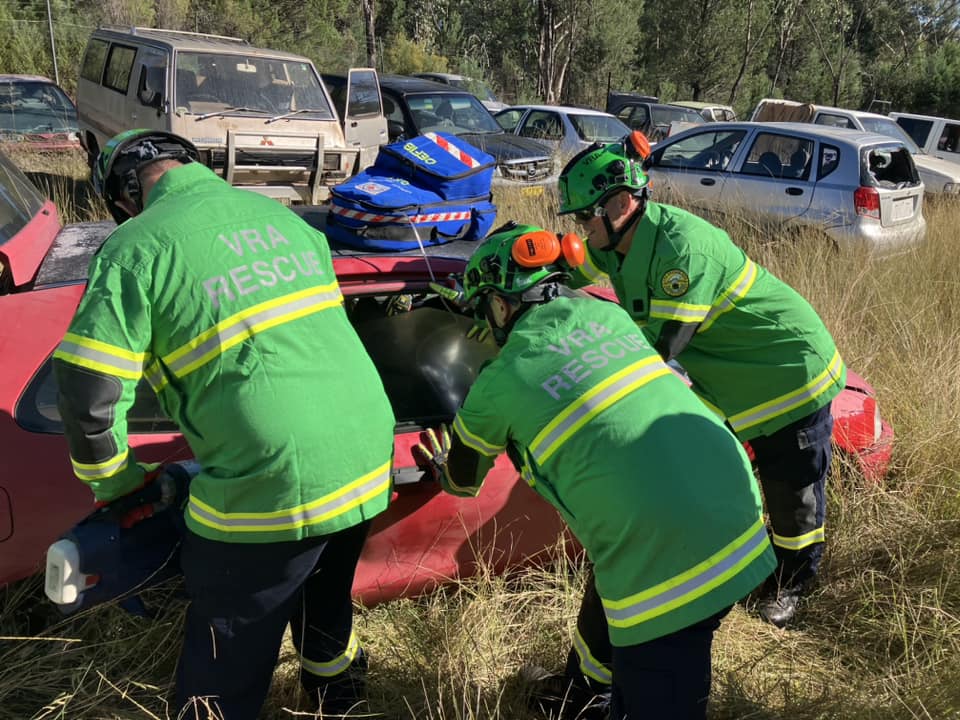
pixel 761 356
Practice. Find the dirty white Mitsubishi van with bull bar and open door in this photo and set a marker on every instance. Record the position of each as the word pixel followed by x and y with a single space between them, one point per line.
pixel 261 118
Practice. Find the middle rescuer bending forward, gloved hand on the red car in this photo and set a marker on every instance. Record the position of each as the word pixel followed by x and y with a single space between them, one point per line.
pixel 657 490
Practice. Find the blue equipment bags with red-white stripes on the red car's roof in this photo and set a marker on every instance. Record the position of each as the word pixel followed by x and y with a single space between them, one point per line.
pixel 430 190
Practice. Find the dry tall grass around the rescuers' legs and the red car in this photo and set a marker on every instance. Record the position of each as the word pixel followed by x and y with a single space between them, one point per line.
pixel 879 639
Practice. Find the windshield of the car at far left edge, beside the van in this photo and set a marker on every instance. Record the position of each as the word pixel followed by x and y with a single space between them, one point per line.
pixel 28 106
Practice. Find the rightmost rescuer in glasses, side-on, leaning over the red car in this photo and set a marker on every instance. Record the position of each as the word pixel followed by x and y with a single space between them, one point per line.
pixel 755 350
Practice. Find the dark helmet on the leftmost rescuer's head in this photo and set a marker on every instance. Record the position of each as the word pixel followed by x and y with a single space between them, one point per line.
pixel 116 173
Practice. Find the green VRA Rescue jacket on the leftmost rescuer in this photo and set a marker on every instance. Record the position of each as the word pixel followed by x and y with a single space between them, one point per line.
pixel 227 303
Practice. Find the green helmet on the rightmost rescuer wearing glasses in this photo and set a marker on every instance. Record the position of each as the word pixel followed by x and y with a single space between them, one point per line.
pixel 597 172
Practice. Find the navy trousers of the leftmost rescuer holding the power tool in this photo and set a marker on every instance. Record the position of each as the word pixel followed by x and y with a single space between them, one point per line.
pixel 242 595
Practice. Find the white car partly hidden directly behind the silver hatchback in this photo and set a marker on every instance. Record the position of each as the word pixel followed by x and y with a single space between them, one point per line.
pixel 938 175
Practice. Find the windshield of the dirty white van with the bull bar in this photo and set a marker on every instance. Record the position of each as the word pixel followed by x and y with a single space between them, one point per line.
pixel 237 84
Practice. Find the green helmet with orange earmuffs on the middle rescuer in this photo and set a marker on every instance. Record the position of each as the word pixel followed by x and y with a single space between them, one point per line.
pixel 515 259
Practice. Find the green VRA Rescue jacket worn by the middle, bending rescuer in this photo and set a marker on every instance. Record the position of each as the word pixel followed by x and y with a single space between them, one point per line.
pixel 655 487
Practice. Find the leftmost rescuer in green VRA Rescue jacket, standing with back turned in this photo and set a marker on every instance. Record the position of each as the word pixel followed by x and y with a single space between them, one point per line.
pixel 227 304
